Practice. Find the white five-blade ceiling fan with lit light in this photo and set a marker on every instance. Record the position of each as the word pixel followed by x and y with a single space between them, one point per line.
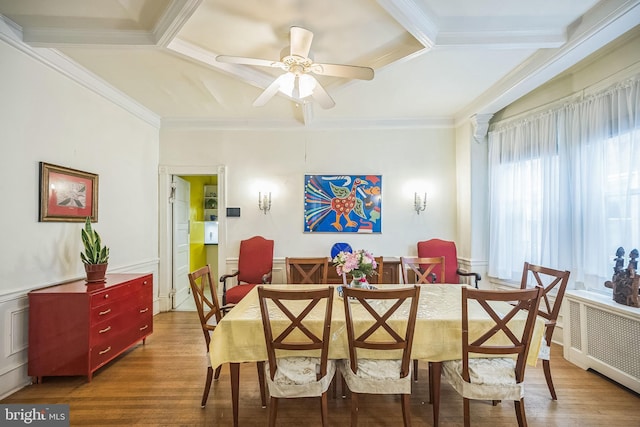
pixel 298 81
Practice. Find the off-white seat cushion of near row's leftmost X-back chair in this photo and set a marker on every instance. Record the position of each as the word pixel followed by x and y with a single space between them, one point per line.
pixel 297 377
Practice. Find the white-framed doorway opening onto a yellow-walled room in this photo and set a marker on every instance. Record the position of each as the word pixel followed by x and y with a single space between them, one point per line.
pixel 167 286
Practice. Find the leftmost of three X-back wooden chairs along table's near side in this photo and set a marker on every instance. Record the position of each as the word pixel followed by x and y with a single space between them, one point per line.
pixel 283 317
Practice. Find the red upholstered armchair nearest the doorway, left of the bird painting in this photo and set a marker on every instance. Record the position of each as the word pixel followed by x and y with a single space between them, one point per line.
pixel 255 263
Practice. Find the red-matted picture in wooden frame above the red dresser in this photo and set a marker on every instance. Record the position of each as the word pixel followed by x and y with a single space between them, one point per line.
pixel 67 195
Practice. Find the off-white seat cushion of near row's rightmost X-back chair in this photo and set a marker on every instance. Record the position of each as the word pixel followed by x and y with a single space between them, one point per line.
pixel 491 379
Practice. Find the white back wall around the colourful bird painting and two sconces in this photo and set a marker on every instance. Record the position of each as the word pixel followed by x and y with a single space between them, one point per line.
pixel 282 158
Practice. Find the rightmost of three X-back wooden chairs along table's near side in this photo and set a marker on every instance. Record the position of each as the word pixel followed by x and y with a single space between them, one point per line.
pixel 490 371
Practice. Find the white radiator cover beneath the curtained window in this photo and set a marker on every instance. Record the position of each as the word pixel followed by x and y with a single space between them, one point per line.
pixel 603 335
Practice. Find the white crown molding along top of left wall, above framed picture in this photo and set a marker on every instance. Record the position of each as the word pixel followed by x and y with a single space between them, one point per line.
pixel 11 34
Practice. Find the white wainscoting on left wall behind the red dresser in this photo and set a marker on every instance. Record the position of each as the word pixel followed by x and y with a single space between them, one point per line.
pixel 14 309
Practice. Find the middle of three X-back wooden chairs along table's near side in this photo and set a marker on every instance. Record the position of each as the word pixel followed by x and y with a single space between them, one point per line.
pixel 365 375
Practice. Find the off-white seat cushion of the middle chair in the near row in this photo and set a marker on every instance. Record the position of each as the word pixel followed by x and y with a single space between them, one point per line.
pixel 375 376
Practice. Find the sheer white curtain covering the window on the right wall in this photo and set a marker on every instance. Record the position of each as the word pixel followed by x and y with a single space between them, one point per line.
pixel 565 187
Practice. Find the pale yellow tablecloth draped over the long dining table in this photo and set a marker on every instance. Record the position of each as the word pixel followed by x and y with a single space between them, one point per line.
pixel 240 337
